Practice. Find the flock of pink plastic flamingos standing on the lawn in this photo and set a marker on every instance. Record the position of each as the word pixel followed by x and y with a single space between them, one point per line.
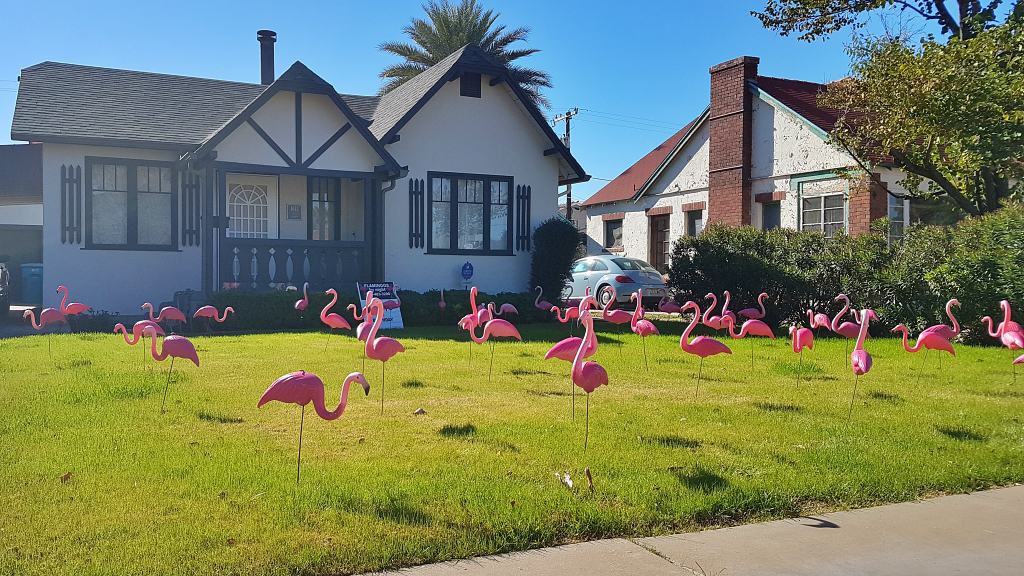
pixel 305 388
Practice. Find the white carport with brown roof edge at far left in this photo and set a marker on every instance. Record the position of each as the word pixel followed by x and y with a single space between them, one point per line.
pixel 21 212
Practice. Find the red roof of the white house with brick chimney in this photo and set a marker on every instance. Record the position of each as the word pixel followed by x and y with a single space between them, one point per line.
pixel 799 96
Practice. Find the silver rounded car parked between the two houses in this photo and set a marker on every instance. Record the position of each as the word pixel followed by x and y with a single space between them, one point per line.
pixel 603 274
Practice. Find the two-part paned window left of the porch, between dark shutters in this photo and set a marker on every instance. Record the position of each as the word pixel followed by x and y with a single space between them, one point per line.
pixel 132 204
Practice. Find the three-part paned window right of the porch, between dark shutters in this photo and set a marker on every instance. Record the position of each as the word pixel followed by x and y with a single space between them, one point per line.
pixel 471 214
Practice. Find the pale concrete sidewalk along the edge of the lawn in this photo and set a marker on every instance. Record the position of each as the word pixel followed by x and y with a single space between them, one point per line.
pixel 975 534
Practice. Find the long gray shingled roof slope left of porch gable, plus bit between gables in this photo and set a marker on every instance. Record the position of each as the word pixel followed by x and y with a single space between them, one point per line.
pixel 73 103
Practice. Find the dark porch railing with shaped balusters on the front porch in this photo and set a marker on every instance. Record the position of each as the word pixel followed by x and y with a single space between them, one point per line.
pixel 269 265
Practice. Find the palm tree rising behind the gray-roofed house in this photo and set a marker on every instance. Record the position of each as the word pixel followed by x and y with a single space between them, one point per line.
pixel 449 28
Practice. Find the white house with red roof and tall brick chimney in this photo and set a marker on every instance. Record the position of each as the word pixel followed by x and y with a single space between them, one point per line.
pixel 759 155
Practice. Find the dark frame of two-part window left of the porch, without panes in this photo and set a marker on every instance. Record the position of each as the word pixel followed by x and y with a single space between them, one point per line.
pixel 132 237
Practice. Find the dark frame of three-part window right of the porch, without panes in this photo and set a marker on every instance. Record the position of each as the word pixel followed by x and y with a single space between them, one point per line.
pixel 454 214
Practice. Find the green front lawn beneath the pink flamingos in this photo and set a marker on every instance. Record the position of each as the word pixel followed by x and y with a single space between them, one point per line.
pixel 95 480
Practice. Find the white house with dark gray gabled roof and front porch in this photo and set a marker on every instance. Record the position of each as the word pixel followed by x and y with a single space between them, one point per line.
pixel 208 185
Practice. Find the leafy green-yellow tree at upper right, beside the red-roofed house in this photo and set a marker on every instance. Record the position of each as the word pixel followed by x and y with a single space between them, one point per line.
pixel 949 112
